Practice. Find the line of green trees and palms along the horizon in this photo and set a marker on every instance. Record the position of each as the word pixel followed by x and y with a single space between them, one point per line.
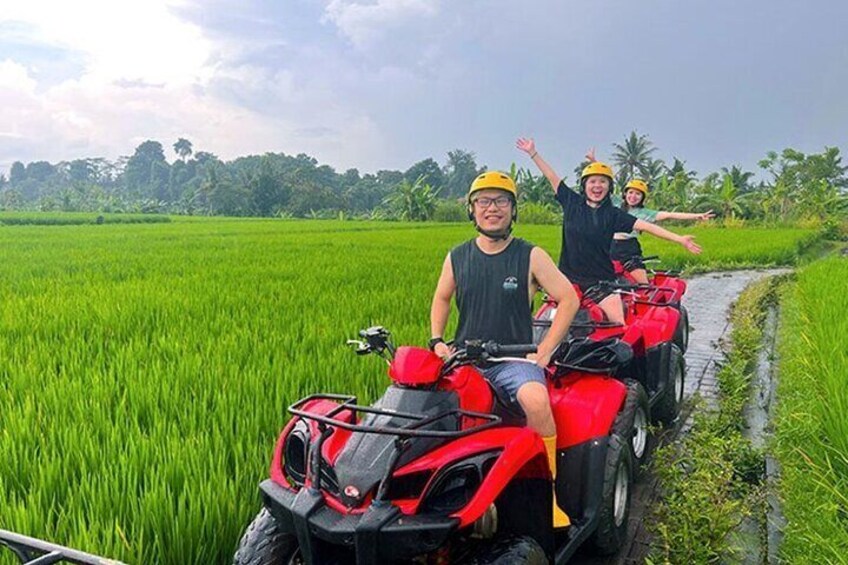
pixel 798 187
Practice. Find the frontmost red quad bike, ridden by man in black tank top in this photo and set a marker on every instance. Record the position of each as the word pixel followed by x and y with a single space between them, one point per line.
pixel 439 470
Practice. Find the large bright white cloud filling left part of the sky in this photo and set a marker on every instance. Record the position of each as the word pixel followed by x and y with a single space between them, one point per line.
pixel 148 75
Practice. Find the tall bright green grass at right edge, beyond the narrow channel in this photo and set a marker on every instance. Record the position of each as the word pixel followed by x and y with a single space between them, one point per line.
pixel 811 426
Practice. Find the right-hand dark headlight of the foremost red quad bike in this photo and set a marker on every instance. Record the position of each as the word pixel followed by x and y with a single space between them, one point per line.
pixel 456 485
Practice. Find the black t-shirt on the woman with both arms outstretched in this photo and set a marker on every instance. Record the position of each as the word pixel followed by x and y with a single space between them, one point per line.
pixel 587 235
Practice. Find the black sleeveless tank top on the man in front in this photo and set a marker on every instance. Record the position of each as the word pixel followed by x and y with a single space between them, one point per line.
pixel 492 293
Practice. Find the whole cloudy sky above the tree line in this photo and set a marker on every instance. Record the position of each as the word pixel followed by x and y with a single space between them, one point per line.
pixel 382 84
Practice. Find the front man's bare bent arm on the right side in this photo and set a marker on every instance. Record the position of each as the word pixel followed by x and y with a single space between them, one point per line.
pixel 559 288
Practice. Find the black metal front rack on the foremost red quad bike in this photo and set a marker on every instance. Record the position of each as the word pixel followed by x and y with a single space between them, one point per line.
pixel 412 430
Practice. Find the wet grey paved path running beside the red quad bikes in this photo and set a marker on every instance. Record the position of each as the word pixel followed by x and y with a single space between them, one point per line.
pixel 708 299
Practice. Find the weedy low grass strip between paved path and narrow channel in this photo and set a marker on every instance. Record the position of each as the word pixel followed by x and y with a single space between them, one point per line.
pixel 710 478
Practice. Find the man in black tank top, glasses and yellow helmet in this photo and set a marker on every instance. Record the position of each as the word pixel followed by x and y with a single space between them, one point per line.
pixel 494 278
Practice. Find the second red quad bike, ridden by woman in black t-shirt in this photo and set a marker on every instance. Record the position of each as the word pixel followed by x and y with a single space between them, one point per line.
pixel 654 374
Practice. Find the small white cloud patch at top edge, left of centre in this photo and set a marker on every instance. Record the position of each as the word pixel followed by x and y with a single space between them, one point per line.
pixel 363 23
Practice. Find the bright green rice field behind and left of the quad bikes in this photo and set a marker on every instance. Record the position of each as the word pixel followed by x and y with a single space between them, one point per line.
pixel 145 368
